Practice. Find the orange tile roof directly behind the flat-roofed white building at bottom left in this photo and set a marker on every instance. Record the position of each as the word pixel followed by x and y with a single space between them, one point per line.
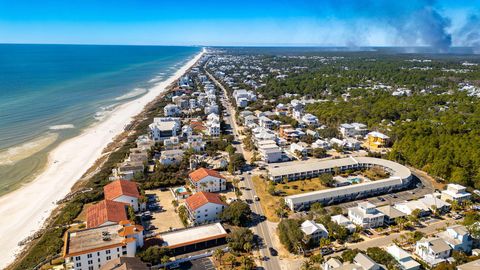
pixel 104 211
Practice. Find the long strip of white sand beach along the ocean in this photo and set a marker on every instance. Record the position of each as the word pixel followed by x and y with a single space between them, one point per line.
pixel 22 212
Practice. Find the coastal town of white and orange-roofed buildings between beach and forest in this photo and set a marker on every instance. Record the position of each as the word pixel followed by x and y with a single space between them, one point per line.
pixel 223 175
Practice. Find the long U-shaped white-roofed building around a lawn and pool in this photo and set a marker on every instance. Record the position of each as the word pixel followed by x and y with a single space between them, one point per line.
pixel 400 178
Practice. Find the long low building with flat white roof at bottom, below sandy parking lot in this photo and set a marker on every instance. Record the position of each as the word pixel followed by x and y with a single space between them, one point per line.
pixel 194 238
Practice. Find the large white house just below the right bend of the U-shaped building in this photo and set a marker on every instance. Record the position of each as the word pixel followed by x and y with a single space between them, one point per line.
pixel 366 215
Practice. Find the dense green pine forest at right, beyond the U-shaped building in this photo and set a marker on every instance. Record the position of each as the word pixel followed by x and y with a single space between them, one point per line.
pixel 437 133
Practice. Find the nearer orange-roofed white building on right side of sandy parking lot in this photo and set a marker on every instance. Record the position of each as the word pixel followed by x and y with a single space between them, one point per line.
pixel 204 207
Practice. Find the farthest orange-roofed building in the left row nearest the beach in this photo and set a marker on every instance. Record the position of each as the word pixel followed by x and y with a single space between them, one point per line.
pixel 124 191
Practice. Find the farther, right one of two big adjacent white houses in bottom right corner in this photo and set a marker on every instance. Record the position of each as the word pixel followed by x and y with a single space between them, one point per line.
pixel 458 238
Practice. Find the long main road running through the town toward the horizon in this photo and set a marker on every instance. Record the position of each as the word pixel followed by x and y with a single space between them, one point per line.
pixel 260 228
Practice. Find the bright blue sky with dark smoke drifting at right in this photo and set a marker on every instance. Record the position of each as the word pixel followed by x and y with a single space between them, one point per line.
pixel 297 22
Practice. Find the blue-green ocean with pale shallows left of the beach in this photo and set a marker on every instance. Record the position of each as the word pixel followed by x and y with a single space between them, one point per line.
pixel 49 93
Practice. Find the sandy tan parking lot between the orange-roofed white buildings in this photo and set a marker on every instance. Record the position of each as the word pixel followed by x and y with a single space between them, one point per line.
pixel 165 218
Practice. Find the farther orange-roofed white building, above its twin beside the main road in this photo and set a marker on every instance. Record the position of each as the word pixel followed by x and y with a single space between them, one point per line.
pixel 207 180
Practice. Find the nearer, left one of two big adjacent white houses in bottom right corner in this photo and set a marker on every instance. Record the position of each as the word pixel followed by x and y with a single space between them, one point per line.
pixel 432 250
